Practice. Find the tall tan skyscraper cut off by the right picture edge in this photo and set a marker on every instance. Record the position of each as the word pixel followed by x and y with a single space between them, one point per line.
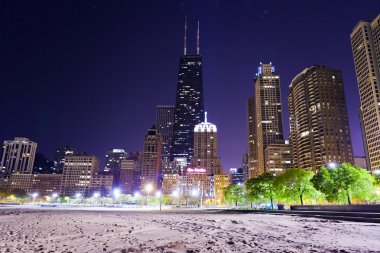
pixel 365 42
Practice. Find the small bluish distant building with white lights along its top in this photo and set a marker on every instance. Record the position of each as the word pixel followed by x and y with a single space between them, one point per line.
pixel 113 160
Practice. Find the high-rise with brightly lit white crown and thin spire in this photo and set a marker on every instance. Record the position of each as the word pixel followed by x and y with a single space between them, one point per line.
pixel 206 148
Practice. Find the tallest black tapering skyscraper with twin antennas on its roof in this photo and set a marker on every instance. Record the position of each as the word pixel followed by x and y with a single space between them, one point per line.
pixel 189 108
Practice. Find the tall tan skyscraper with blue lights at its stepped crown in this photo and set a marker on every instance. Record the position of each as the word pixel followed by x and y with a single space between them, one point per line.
pixel 267 113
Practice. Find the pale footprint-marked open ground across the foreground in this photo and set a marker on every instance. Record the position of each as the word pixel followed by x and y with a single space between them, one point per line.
pixel 50 230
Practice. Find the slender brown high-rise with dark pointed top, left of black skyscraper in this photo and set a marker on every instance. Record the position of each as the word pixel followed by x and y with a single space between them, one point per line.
pixel 151 159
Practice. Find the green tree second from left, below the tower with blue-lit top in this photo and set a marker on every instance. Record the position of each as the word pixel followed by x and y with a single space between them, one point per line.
pixel 261 187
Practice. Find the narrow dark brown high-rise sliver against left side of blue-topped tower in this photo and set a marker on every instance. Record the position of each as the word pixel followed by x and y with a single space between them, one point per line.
pixel 252 128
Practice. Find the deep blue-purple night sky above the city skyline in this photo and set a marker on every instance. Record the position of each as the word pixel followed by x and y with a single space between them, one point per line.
pixel 89 74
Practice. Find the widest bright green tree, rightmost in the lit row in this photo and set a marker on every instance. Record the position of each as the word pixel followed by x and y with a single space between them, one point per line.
pixel 344 182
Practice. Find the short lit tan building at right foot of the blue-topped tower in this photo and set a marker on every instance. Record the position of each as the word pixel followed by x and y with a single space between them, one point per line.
pixel 278 158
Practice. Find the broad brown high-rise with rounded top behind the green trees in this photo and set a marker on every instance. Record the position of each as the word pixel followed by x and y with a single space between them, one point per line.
pixel 319 130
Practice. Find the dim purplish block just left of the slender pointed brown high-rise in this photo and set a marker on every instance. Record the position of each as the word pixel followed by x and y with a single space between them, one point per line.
pixel 128 176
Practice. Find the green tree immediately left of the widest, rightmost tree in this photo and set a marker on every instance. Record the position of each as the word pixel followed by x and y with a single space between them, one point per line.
pixel 295 184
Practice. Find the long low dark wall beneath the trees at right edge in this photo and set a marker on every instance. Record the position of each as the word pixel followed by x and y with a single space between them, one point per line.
pixel 338 208
